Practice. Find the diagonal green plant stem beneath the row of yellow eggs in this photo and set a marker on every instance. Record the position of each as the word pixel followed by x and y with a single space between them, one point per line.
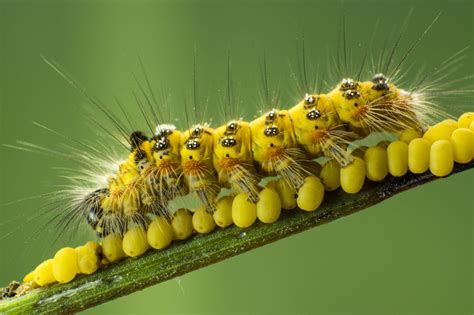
pixel 154 267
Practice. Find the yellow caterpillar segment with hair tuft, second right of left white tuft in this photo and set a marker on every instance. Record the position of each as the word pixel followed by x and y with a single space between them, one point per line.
pixel 233 160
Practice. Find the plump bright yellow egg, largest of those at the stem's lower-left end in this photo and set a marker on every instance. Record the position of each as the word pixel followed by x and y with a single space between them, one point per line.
pixel 65 266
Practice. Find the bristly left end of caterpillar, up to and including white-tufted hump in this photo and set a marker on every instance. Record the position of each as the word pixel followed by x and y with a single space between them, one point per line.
pixel 142 187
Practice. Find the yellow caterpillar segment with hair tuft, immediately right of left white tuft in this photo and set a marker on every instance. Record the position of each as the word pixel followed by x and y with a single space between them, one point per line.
pixel 196 160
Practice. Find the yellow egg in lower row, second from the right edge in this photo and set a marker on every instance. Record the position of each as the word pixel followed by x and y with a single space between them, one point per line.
pixel 441 158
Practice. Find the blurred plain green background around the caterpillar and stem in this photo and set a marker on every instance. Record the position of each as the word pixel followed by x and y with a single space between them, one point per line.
pixel 412 254
